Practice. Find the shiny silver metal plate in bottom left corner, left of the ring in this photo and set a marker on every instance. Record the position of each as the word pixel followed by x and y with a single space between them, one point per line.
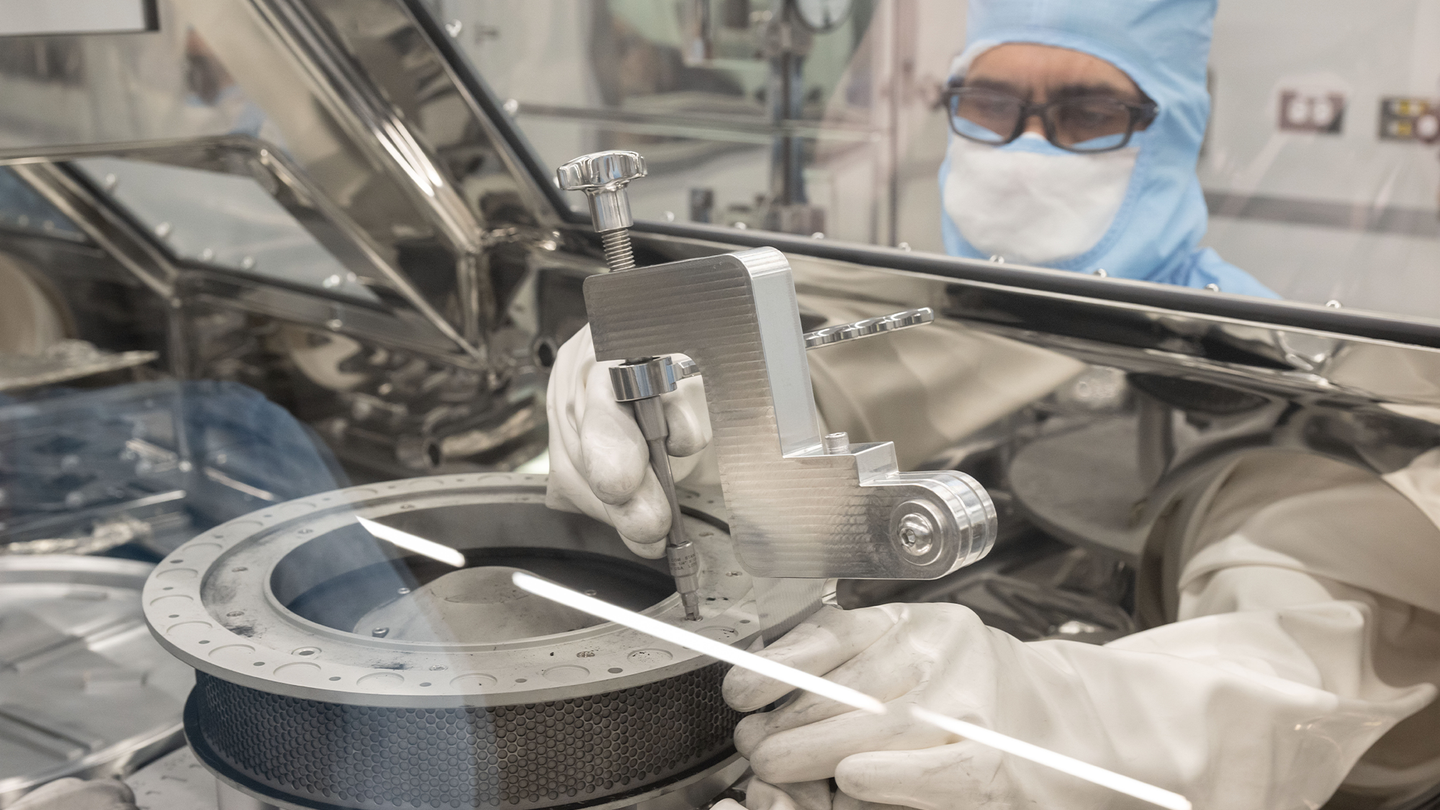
pixel 74 649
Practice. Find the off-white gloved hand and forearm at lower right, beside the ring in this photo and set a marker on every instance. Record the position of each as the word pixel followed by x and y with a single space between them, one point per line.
pixel 1256 710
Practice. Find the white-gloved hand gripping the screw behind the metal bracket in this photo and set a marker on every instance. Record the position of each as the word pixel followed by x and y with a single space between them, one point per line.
pixel 600 462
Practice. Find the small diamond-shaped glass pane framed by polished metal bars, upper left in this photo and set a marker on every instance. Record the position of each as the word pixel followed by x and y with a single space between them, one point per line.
pixel 222 220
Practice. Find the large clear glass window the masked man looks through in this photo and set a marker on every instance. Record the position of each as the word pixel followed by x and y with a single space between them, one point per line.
pixel 1318 172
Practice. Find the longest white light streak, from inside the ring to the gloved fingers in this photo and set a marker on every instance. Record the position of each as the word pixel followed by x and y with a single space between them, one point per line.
pixel 699 644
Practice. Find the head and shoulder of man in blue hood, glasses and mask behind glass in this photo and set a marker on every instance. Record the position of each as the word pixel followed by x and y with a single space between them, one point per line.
pixel 1099 172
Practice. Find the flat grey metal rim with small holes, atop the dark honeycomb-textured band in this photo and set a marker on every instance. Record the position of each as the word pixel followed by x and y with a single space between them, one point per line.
pixel 220 603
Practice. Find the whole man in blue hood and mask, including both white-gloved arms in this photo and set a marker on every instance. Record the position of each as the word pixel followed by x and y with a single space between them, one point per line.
pixel 1305 646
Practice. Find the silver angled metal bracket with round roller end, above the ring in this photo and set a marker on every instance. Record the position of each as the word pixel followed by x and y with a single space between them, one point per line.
pixel 797 511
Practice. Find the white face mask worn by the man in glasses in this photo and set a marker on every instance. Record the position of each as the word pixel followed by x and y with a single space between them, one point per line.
pixel 1035 202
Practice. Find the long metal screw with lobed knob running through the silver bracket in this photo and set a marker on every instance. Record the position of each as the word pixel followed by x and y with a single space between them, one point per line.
pixel 642 380
